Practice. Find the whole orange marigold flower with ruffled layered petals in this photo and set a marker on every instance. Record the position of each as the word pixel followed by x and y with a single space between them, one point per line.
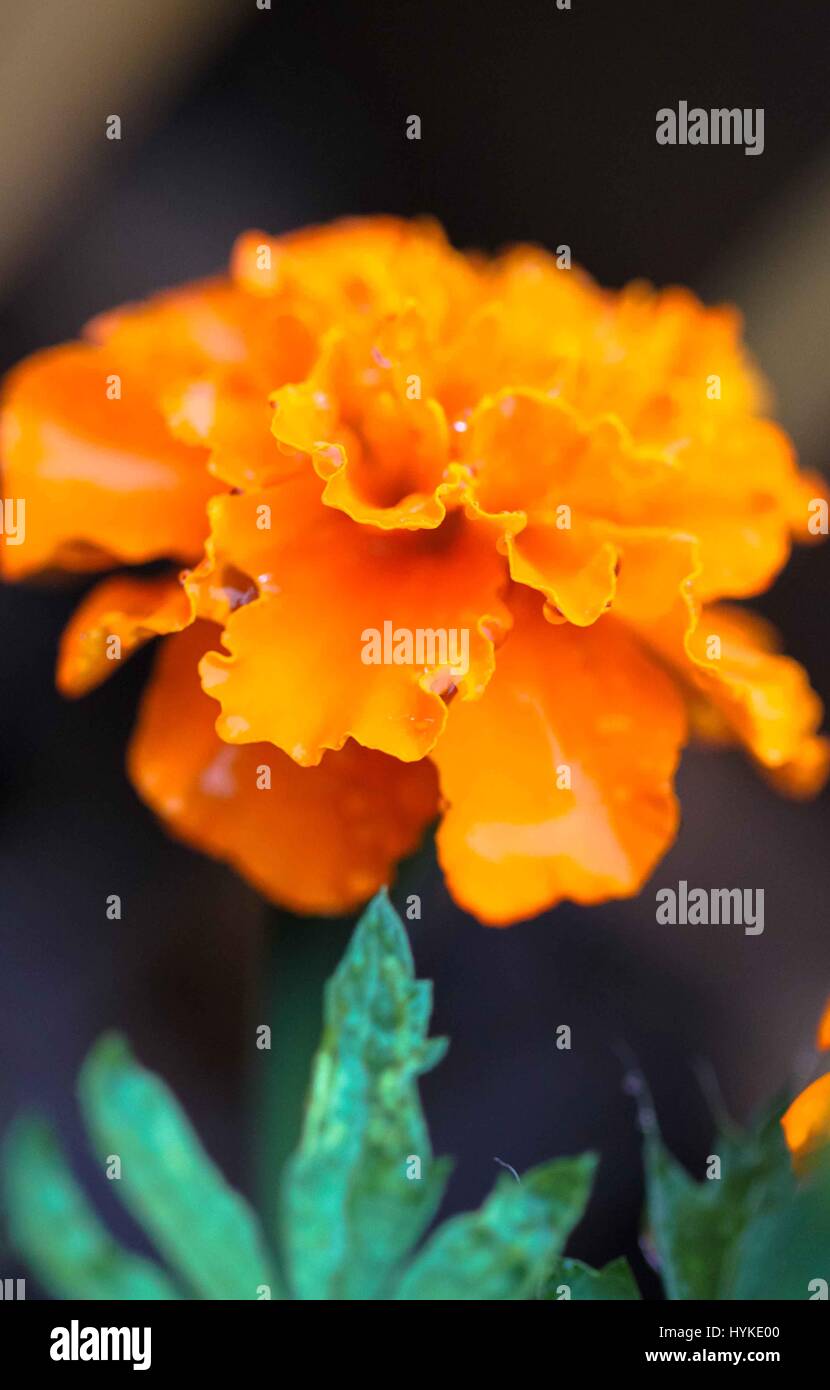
pixel 458 536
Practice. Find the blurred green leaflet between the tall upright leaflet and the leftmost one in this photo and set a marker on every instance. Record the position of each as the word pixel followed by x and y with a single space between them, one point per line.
pixel 205 1229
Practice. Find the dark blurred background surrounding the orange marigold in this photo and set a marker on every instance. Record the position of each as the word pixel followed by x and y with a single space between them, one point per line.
pixel 537 124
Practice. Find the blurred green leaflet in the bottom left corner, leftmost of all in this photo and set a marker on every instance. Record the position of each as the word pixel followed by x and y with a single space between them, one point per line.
pixel 56 1231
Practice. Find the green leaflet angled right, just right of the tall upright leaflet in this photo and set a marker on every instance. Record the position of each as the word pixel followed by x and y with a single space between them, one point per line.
pixel 505 1250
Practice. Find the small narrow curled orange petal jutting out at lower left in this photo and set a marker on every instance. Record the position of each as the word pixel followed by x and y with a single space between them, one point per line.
pixel 119 616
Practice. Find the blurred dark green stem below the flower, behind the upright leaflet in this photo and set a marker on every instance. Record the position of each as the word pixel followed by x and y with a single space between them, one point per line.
pixel 300 956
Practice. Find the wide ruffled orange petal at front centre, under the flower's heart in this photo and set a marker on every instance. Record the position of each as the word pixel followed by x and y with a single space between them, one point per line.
pixel 319 655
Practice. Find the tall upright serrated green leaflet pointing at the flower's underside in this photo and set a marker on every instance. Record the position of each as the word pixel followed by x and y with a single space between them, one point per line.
pixel 352 1207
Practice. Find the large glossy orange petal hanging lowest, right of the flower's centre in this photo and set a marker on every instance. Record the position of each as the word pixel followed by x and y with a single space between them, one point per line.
pixel 558 785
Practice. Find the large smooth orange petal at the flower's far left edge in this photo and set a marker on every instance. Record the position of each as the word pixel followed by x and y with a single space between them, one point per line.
pixel 102 477
